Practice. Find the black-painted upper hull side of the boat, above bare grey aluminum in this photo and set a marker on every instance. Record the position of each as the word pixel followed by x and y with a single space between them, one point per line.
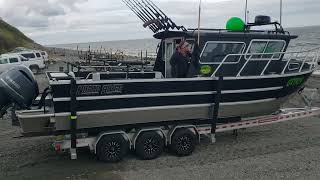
pixel 157 93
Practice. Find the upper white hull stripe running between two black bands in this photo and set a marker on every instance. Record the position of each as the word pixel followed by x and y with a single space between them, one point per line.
pixel 85 98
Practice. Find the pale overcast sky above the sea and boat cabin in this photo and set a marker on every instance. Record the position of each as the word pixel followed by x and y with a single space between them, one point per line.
pixel 68 21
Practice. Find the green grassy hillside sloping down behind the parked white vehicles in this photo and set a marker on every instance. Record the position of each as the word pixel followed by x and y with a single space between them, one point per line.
pixel 11 37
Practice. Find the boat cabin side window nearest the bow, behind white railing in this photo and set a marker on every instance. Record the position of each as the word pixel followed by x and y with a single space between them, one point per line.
pixel 265 49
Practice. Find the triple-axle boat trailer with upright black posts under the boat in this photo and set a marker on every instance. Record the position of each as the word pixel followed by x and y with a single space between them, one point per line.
pixel 165 136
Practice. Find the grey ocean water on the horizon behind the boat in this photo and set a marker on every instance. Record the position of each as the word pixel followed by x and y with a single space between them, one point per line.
pixel 308 37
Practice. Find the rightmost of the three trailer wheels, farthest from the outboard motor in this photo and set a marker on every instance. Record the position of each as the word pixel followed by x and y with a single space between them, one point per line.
pixel 183 142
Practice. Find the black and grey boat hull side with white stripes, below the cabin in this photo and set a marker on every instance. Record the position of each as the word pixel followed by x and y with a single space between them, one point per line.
pixel 154 101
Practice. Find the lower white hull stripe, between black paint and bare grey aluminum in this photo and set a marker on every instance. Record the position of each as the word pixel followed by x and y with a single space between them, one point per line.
pixel 163 107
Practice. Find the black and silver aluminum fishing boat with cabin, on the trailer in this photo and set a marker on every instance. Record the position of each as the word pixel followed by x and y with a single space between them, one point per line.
pixel 258 73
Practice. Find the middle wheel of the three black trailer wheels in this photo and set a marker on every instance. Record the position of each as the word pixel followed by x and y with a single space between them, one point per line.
pixel 149 145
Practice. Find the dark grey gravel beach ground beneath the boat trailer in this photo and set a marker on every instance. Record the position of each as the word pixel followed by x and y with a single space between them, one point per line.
pixel 288 150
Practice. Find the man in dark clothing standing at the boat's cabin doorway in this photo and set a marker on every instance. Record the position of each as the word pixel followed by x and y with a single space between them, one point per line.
pixel 180 60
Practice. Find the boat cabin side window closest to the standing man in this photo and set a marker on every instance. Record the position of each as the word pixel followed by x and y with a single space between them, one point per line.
pixel 215 52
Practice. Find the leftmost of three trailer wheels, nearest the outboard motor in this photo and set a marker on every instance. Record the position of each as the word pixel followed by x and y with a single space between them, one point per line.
pixel 112 148
